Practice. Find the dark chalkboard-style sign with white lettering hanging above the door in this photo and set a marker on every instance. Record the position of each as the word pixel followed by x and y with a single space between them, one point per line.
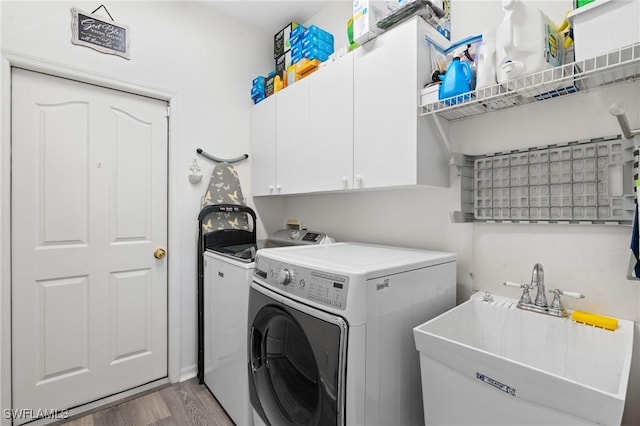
pixel 104 36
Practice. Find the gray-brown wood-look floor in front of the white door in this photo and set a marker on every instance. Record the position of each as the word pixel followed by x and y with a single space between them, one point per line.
pixel 184 404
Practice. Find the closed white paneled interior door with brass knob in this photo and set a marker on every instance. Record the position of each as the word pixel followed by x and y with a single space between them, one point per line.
pixel 89 207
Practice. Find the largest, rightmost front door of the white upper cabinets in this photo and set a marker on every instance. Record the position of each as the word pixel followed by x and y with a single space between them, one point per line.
pixel 386 109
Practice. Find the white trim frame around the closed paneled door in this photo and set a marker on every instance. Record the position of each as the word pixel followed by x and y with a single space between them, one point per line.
pixel 9 60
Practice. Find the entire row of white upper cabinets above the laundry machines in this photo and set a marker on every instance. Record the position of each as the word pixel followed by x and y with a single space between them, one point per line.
pixel 352 124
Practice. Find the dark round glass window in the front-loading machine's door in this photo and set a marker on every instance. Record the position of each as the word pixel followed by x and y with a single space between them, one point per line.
pixel 284 369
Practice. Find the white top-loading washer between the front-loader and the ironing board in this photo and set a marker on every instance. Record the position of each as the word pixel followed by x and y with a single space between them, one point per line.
pixel 227 273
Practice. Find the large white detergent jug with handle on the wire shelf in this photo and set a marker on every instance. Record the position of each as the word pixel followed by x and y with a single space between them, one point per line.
pixel 526 42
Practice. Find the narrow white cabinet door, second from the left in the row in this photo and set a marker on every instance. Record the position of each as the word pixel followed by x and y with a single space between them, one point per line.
pixel 292 118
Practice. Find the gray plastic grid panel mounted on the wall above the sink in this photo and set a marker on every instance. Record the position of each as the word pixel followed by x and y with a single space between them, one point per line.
pixel 578 182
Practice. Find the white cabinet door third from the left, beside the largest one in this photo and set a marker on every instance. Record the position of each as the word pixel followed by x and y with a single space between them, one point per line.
pixel 329 163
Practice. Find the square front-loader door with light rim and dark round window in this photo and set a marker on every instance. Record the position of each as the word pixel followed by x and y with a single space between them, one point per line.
pixel 296 362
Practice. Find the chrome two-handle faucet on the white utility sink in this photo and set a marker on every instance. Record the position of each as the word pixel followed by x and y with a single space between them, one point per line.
pixel 541 305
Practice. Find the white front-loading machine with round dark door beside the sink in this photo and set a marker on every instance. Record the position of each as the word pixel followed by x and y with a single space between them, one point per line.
pixel 330 332
